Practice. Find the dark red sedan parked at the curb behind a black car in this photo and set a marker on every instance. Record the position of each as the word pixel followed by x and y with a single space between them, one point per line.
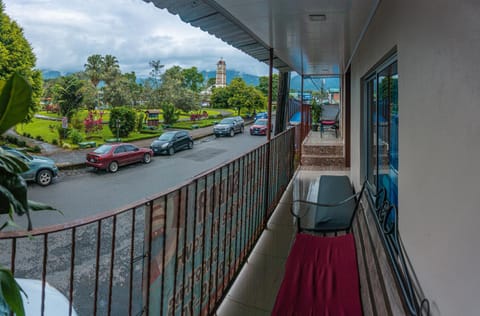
pixel 111 156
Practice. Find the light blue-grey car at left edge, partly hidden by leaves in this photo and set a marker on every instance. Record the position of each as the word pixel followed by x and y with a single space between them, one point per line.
pixel 40 169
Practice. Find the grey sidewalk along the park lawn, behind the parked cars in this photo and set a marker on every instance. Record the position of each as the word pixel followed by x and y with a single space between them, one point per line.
pixel 72 159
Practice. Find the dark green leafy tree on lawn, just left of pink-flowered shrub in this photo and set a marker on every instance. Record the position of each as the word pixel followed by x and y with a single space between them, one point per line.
pixel 68 94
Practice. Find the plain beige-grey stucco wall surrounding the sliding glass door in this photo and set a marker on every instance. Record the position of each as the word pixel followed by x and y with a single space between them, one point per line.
pixel 438 47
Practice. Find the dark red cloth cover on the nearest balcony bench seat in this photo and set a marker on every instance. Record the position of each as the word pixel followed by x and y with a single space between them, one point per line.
pixel 321 278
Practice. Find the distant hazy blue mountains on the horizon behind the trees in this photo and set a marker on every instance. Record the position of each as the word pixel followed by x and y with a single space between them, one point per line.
pixel 295 81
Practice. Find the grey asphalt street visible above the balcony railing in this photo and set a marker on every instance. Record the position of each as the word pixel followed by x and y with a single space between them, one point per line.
pixel 87 193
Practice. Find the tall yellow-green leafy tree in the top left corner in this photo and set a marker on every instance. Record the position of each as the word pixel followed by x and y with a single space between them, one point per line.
pixel 16 55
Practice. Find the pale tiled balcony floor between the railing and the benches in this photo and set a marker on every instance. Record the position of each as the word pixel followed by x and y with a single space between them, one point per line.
pixel 255 290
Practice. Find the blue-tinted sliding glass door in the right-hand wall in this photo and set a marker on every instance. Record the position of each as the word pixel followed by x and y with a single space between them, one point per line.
pixel 381 132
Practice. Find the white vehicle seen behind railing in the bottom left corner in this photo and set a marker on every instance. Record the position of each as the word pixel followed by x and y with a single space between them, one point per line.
pixel 55 302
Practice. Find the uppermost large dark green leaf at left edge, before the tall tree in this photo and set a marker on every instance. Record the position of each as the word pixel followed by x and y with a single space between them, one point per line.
pixel 15 96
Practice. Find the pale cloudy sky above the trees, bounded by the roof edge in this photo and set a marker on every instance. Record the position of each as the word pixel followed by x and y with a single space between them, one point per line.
pixel 63 33
